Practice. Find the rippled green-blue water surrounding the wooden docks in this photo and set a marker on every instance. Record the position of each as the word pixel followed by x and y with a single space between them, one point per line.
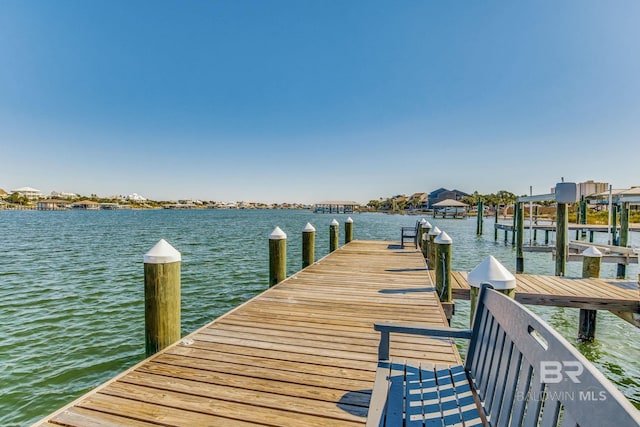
pixel 71 290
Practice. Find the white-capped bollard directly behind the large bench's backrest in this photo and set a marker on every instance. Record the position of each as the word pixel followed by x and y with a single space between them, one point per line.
pixel 491 271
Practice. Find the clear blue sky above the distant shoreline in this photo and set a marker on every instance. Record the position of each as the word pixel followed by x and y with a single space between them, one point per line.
pixel 311 100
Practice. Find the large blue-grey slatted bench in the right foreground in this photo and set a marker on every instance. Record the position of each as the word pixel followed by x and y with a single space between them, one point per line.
pixel 518 371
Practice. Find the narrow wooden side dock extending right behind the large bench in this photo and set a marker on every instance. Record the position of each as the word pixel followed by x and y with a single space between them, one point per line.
pixel 618 296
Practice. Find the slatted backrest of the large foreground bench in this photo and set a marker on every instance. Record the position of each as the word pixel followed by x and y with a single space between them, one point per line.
pixel 528 374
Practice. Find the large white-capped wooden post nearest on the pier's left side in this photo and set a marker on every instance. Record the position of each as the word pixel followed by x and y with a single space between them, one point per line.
pixel 161 297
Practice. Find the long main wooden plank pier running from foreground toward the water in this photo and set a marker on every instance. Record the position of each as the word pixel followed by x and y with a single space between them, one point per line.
pixel 302 353
